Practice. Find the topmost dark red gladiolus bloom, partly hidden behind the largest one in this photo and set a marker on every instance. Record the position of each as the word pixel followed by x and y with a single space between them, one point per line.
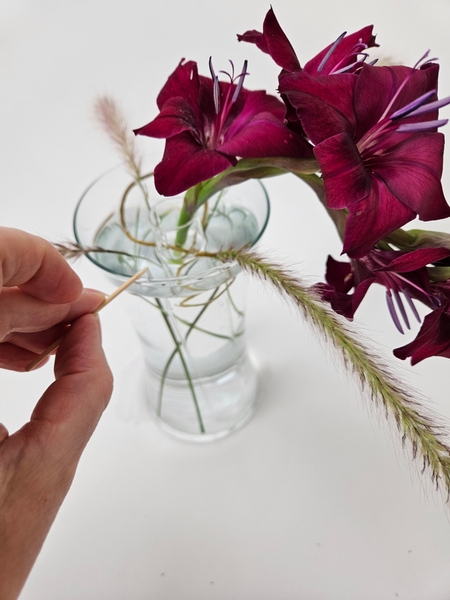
pixel 346 54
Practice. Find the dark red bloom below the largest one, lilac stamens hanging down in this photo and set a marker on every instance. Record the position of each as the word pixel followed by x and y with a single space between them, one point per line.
pixel 403 274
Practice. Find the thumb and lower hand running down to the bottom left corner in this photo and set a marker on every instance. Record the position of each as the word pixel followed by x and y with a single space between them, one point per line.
pixel 39 460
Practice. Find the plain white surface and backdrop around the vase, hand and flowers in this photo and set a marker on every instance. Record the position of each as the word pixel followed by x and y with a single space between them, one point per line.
pixel 314 499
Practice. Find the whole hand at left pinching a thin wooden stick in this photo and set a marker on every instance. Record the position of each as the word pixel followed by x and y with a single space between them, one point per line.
pixel 41 296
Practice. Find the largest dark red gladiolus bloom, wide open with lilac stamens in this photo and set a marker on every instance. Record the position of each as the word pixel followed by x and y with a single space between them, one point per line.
pixel 377 146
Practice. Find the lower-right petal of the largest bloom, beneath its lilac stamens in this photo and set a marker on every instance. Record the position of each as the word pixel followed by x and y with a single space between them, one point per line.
pixel 412 170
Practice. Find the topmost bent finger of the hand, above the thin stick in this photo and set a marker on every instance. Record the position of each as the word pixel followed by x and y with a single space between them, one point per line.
pixel 34 265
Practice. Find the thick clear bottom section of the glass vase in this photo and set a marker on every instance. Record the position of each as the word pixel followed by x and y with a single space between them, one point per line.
pixel 224 403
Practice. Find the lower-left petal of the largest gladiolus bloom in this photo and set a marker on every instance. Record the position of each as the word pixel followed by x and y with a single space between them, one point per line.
pixel 346 181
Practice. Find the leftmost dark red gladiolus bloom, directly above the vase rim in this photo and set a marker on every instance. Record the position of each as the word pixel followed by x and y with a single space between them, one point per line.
pixel 209 124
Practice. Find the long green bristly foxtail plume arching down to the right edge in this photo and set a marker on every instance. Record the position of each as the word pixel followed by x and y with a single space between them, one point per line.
pixel 426 437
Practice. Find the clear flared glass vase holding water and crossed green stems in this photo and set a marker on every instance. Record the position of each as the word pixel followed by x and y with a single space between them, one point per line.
pixel 189 308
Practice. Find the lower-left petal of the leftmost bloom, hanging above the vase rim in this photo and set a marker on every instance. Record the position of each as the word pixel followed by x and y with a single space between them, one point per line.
pixel 185 163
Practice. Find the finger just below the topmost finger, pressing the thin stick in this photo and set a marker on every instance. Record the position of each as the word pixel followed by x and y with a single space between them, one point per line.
pixel 22 313
